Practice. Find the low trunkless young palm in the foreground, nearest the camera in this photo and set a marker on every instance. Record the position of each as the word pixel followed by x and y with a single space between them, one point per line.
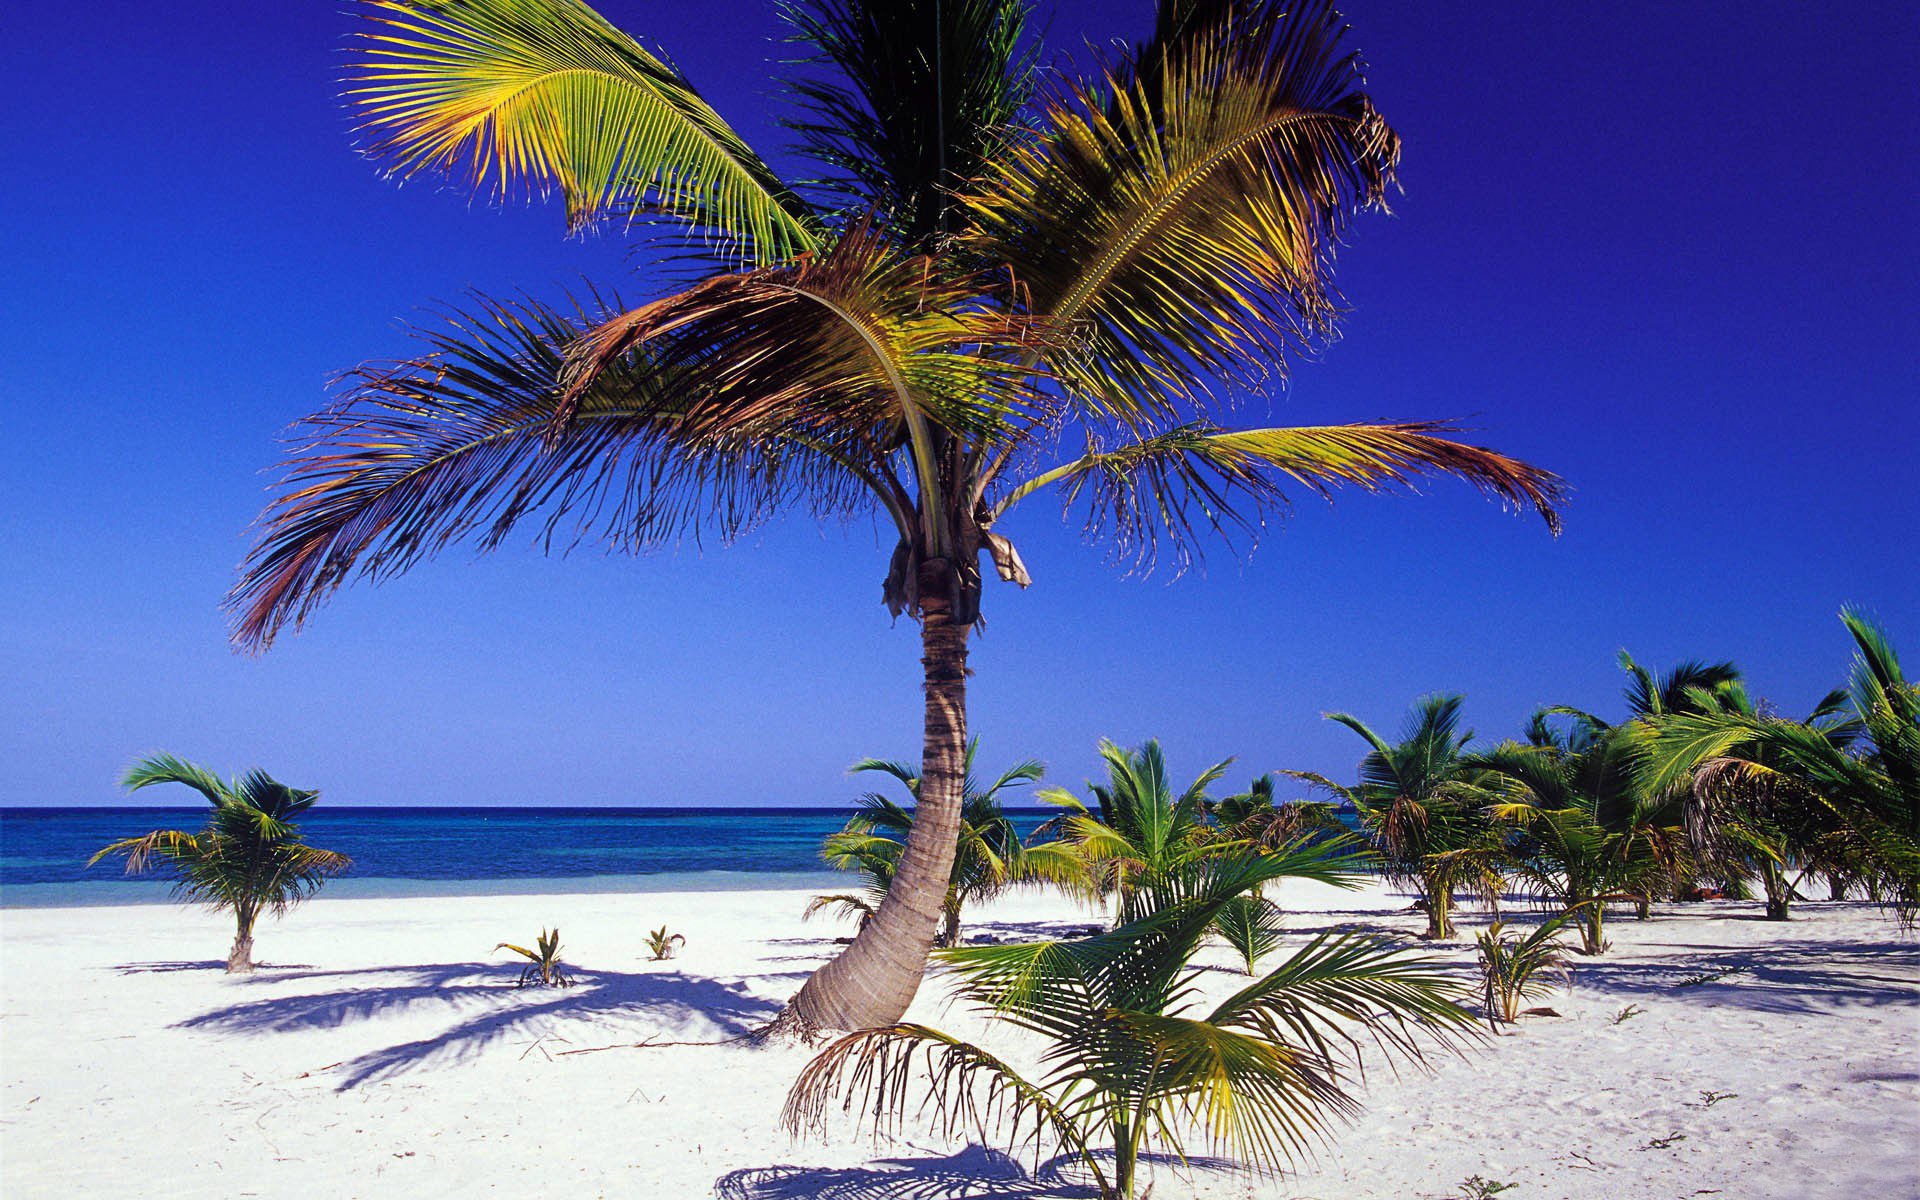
pixel 1132 1057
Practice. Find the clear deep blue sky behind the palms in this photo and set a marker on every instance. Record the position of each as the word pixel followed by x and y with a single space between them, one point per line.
pixel 1668 251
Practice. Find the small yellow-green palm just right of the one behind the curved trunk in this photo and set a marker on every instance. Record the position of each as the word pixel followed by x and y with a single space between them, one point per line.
pixel 1138 830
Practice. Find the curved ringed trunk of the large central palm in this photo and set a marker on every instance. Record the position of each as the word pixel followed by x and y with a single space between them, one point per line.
pixel 876 978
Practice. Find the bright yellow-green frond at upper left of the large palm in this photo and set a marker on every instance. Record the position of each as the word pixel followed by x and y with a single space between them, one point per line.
pixel 531 95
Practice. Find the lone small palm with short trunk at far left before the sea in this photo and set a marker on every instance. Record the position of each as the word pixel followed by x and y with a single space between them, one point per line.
pixel 251 859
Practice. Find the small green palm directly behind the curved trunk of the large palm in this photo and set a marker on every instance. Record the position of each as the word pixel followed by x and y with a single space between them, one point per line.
pixel 990 855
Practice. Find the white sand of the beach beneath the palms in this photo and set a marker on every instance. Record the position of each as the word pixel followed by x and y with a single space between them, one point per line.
pixel 385 1053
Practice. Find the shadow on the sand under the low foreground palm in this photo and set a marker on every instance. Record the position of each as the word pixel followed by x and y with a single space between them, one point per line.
pixel 972 1174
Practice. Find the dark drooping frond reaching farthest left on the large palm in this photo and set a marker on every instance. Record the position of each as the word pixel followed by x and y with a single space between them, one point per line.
pixel 462 443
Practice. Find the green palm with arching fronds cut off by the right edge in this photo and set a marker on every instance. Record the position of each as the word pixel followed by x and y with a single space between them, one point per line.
pixel 1842 786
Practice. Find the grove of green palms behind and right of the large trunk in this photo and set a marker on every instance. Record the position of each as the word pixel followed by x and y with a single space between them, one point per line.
pixel 1702 792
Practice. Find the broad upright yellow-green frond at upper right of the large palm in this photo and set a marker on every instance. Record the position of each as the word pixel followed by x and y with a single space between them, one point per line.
pixel 1191 226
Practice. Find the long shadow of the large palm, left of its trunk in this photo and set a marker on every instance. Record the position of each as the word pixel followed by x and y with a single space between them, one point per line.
pixel 492 1009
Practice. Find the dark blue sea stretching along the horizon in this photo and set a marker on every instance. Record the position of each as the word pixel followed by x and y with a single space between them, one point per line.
pixel 454 852
